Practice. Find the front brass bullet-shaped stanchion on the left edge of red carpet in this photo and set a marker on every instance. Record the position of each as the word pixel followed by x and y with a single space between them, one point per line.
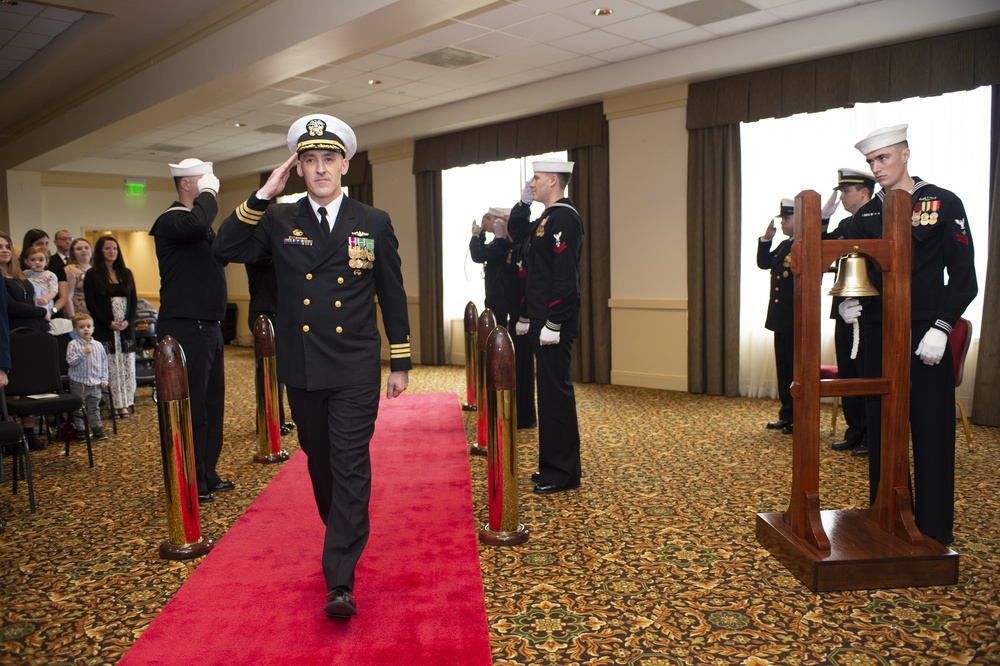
pixel 177 450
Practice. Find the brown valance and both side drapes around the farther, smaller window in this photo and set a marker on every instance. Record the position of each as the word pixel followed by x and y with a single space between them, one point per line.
pixel 582 131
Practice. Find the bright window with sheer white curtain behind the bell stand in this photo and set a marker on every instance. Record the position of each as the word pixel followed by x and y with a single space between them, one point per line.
pixel 949 146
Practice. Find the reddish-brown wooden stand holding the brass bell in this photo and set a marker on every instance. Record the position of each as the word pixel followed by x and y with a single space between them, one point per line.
pixel 855 549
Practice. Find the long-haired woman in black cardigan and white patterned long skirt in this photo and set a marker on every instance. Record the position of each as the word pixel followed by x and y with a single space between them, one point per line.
pixel 109 291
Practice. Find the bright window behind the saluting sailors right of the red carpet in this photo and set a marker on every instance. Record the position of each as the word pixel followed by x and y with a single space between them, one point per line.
pixel 467 193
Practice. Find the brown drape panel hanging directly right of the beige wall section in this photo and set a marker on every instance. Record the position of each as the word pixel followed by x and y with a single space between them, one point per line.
pixel 713 231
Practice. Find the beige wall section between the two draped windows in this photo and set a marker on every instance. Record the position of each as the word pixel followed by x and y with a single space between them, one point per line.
pixel 648 163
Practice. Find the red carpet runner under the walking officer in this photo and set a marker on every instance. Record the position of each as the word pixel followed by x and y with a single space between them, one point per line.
pixel 258 597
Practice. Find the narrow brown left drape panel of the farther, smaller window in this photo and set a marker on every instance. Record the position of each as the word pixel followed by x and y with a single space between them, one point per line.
pixel 429 268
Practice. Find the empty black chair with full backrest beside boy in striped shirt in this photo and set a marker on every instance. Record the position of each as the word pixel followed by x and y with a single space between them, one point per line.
pixel 35 378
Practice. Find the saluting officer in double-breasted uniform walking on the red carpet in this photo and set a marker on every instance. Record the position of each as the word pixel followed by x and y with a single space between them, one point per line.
pixel 328 343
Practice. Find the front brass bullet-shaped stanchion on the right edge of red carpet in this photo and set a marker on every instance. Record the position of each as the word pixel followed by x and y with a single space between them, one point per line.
pixel 503 528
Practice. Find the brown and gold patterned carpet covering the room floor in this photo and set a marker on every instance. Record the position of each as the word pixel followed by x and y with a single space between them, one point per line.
pixel 652 562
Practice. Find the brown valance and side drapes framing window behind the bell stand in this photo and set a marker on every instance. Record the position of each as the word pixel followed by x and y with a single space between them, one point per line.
pixel 925 67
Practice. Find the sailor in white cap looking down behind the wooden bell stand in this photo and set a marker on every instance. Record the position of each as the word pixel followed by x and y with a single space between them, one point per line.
pixel 942 243
